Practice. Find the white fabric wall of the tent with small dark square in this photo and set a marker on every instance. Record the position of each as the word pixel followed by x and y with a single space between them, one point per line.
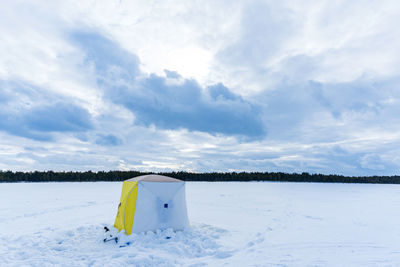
pixel 160 205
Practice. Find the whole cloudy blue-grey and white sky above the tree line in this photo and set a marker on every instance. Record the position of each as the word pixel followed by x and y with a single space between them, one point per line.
pixel 200 86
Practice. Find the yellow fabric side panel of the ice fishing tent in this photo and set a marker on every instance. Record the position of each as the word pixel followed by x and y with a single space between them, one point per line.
pixel 127 204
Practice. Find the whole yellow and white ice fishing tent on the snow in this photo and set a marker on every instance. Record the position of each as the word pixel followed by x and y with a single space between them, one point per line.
pixel 152 202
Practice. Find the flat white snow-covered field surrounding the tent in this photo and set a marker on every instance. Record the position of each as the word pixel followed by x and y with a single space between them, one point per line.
pixel 233 224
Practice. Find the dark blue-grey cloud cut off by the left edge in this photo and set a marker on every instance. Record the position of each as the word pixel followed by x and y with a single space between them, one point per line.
pixel 32 113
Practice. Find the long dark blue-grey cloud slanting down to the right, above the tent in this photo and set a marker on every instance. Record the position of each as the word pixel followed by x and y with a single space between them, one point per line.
pixel 155 100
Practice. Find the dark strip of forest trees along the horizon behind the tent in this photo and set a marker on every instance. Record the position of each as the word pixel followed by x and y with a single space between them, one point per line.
pixel 113 176
